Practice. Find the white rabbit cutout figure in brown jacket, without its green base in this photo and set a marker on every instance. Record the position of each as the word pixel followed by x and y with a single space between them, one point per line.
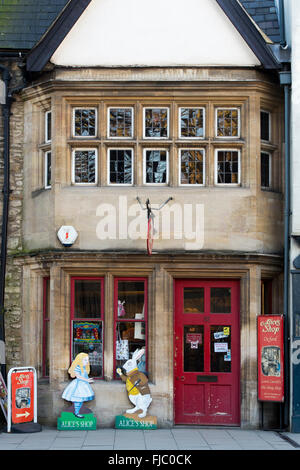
pixel 136 385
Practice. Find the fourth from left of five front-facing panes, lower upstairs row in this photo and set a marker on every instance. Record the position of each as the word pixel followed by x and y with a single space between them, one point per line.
pixel 192 166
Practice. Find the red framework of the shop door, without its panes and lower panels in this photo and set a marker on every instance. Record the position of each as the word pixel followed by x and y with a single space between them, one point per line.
pixel 182 378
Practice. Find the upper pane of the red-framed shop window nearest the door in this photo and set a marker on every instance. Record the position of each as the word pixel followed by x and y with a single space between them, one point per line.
pixel 131 299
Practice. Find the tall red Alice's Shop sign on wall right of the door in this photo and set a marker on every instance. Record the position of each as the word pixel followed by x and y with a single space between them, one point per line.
pixel 270 358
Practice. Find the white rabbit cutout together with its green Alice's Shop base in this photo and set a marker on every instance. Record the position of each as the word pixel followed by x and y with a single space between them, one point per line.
pixel 138 393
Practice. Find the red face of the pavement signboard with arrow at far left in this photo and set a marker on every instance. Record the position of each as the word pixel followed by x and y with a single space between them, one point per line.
pixel 22 396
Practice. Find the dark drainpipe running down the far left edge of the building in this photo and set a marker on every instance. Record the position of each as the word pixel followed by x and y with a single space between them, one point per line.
pixel 6 109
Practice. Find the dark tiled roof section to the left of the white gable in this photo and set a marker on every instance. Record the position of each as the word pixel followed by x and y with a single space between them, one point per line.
pixel 23 22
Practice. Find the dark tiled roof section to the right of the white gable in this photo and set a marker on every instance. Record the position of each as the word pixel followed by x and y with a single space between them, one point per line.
pixel 264 13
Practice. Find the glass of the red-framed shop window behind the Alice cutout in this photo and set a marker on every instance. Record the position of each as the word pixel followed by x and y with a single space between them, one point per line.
pixel 87 307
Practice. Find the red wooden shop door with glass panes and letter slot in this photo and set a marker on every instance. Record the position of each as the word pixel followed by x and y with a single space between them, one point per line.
pixel 206 349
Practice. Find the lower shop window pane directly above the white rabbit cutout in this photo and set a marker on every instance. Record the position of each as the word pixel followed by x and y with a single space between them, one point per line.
pixel 129 337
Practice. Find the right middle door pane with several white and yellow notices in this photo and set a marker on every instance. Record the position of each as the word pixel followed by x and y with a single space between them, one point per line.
pixel 220 348
